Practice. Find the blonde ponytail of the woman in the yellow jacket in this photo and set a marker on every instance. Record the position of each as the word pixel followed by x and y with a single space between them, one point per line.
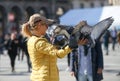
pixel 26 30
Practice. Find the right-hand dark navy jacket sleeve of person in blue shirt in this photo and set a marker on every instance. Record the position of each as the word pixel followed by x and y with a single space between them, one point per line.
pixel 99 52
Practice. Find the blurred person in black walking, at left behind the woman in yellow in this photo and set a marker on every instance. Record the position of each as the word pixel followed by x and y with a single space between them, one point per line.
pixel 12 47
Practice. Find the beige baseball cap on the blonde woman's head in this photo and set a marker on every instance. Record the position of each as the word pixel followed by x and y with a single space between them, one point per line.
pixel 37 17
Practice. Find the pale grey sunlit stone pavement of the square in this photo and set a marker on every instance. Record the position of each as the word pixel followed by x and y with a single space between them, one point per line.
pixel 111 68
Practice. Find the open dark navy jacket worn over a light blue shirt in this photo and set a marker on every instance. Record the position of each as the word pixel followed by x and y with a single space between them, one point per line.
pixel 96 60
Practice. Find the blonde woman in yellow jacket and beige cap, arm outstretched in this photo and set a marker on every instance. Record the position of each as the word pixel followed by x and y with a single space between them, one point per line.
pixel 43 54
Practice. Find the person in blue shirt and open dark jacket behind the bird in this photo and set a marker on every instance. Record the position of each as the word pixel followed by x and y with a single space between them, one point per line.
pixel 87 63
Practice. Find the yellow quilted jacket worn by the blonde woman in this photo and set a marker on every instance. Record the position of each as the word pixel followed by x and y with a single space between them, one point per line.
pixel 44 56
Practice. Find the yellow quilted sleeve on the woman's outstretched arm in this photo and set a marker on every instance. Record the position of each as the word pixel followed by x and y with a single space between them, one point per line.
pixel 46 48
